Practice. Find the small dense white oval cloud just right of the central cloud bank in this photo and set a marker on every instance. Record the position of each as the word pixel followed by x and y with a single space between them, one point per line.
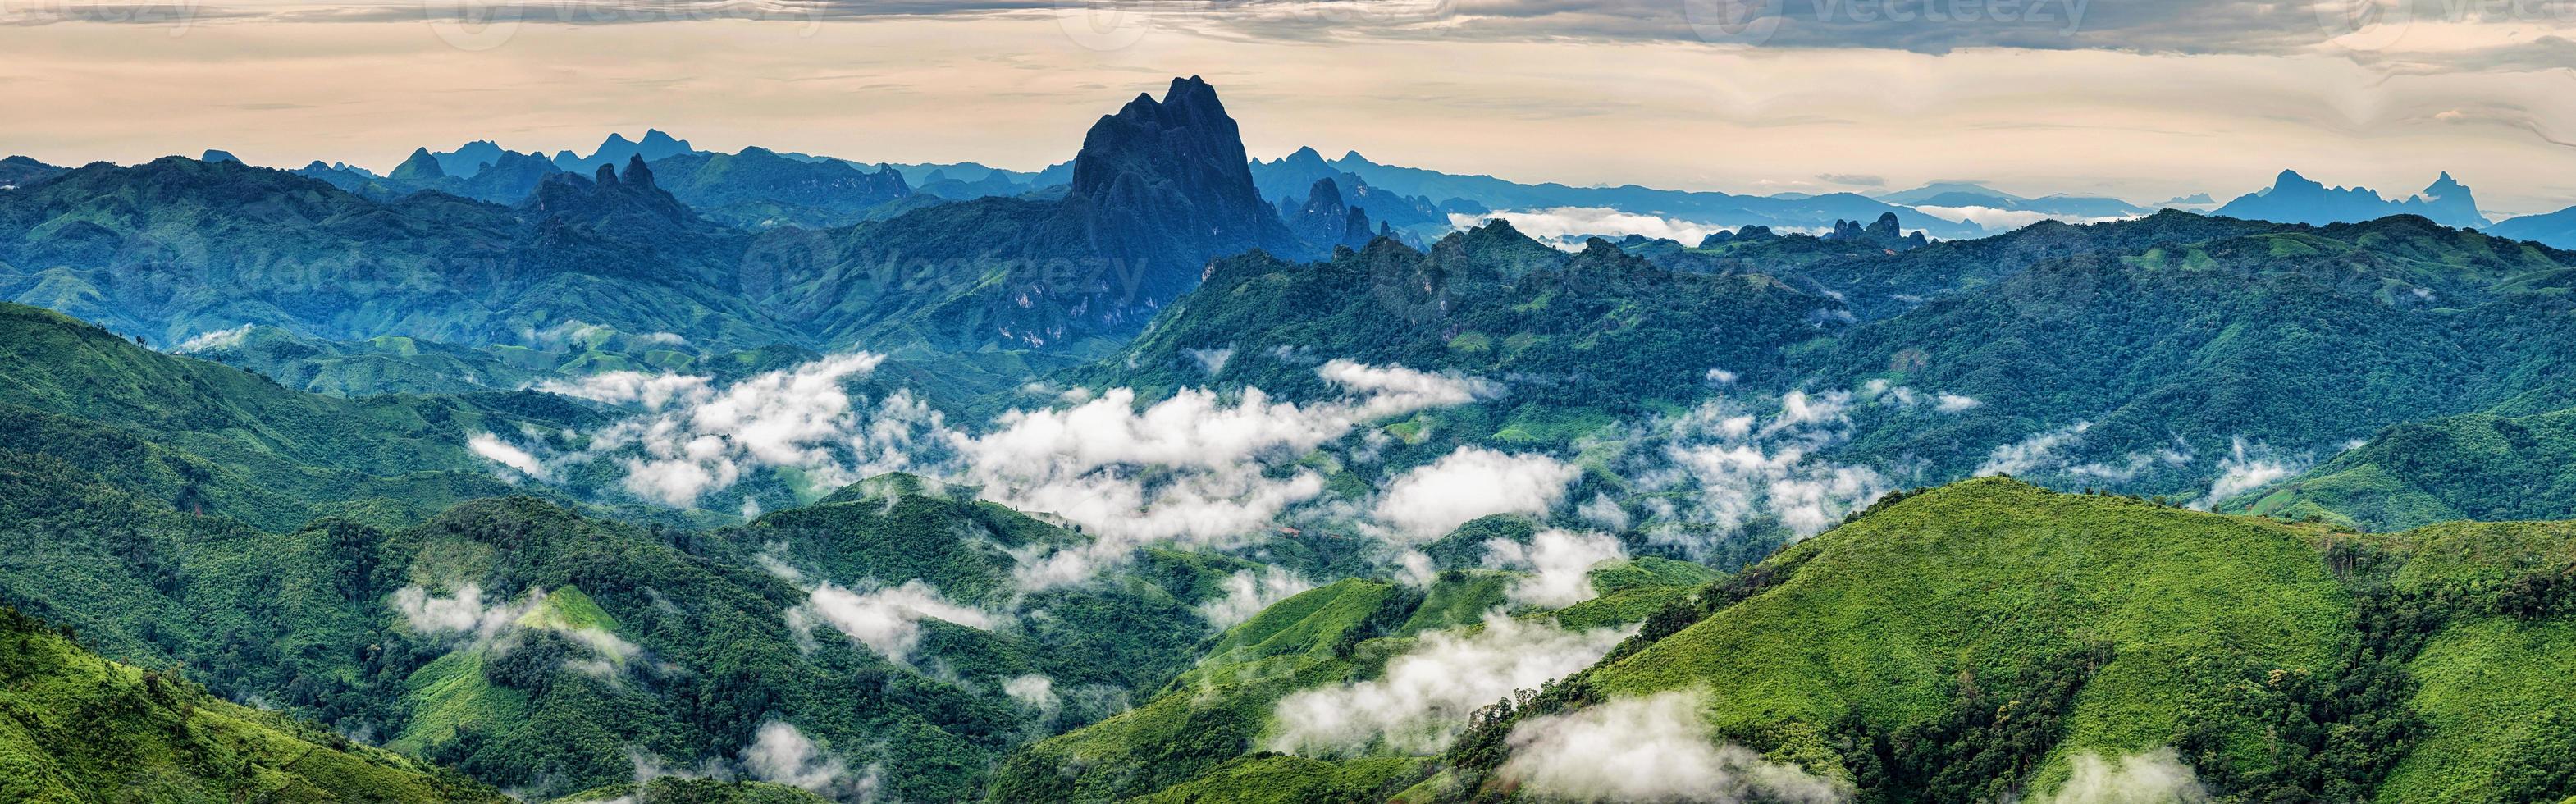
pixel 1472 483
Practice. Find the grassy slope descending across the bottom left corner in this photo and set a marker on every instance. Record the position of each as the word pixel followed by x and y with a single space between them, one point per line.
pixel 89 731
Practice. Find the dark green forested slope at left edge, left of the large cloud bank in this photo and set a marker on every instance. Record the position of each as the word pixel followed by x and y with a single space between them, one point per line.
pixel 215 439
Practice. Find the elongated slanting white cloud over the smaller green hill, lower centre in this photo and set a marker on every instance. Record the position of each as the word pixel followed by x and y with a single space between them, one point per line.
pixel 1426 694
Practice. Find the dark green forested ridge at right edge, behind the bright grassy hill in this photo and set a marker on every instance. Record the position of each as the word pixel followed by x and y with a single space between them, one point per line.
pixel 2297 339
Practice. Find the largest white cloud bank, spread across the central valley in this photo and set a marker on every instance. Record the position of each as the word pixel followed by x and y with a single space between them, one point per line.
pixel 1202 468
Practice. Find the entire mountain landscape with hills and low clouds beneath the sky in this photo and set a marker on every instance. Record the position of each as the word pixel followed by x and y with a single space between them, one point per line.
pixel 1176 475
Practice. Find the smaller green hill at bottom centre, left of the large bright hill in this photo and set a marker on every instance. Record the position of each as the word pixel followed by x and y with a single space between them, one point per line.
pixel 1202 738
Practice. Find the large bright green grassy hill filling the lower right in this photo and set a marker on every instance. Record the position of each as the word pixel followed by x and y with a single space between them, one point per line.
pixel 2286 664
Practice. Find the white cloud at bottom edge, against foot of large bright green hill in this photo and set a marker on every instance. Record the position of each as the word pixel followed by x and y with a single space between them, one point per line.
pixel 1650 751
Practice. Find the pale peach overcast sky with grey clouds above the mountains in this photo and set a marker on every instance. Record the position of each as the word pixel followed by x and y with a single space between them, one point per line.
pixel 1756 97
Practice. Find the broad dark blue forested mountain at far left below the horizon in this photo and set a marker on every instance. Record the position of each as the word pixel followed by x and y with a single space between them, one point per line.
pixel 176 249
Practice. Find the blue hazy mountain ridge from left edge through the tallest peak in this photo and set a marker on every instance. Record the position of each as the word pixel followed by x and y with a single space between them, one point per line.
pixel 179 249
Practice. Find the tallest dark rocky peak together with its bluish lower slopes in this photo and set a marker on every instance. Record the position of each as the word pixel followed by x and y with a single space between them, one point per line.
pixel 1158 192
